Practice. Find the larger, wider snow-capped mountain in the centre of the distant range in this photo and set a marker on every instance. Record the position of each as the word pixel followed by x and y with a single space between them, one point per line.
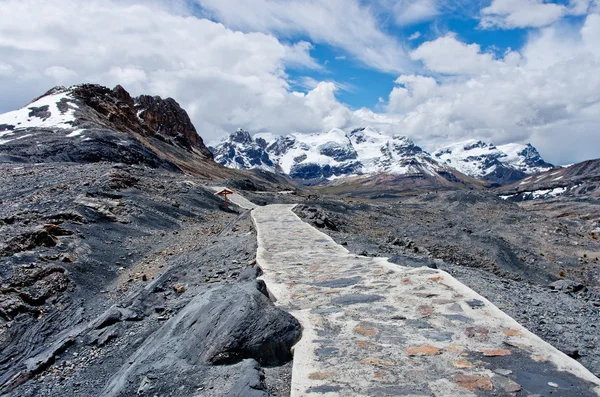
pixel 328 155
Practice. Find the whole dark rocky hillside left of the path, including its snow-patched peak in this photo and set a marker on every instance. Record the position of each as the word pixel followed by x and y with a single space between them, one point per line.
pixel 120 271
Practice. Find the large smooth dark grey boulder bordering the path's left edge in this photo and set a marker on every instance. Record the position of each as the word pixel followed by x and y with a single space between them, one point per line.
pixel 223 326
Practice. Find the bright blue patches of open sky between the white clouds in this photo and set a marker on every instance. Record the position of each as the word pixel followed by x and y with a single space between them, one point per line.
pixel 362 86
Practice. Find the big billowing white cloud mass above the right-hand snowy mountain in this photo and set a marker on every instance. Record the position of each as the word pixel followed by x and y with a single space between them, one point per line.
pixel 548 94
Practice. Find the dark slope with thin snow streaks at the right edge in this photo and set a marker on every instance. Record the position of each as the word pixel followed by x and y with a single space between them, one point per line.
pixel 578 180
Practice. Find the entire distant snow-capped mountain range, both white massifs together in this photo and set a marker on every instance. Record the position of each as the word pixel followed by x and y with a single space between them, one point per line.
pixel 322 158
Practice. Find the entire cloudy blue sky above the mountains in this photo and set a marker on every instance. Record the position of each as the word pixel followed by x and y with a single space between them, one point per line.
pixel 437 71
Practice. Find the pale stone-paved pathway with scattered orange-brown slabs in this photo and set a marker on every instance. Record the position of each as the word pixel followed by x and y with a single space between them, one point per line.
pixel 372 328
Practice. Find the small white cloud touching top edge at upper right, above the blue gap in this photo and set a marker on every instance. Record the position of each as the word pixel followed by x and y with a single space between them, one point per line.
pixel 508 14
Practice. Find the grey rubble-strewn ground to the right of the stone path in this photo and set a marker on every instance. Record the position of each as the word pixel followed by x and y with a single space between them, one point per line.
pixel 540 267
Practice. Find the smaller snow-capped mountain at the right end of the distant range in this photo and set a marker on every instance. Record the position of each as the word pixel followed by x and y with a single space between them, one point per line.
pixel 498 164
